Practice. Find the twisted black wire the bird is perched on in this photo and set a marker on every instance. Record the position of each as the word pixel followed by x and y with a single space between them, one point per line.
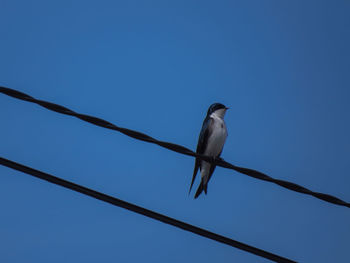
pixel 173 147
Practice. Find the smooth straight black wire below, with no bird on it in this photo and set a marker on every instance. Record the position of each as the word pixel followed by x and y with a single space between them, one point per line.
pixel 140 210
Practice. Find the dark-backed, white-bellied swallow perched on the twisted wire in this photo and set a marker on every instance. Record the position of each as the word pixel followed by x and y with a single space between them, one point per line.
pixel 211 141
